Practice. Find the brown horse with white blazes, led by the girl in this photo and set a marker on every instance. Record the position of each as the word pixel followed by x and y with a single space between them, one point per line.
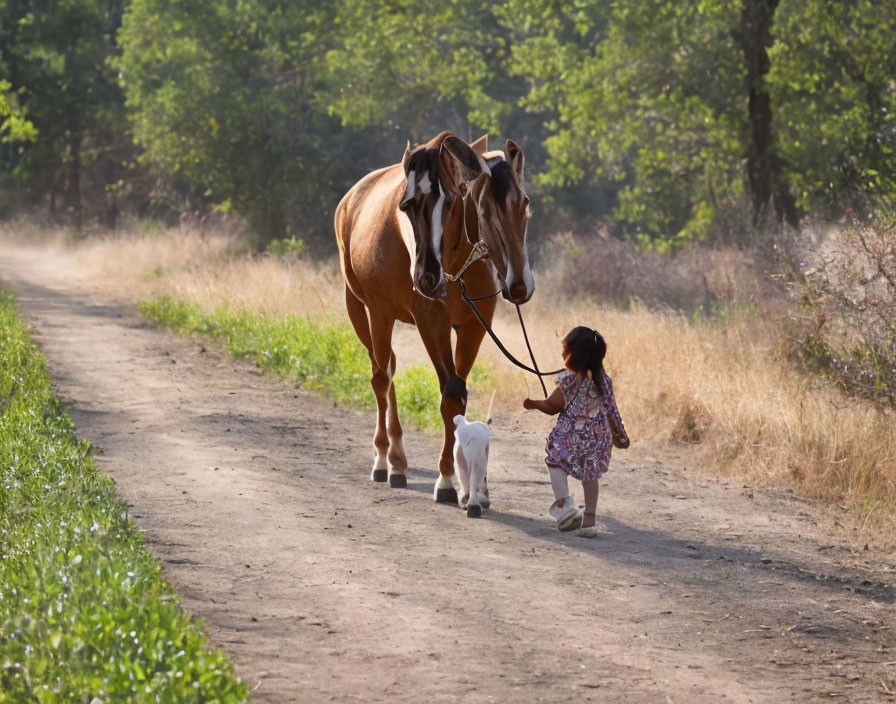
pixel 398 230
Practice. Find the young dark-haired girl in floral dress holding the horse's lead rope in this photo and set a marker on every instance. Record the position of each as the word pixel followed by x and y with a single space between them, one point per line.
pixel 588 426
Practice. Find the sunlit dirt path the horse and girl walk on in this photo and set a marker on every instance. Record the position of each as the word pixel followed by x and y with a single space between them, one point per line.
pixel 325 587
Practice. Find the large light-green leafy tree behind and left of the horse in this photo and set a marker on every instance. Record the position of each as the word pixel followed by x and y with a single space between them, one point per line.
pixel 223 99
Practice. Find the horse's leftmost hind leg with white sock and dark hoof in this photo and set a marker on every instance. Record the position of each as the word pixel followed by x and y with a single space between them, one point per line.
pixel 380 379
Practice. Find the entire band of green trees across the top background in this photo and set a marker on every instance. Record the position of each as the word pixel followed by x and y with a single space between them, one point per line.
pixel 661 120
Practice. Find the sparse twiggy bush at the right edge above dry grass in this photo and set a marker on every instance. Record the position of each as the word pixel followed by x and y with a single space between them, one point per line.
pixel 849 310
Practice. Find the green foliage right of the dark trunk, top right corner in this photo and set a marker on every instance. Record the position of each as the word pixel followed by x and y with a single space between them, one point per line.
pixel 833 67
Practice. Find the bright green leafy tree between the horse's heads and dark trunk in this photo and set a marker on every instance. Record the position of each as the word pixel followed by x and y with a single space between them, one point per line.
pixel 647 108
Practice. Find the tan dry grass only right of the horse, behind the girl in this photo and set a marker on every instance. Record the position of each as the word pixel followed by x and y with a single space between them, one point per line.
pixel 723 388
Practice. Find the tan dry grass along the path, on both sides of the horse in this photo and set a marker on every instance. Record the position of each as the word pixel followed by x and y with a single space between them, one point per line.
pixel 720 387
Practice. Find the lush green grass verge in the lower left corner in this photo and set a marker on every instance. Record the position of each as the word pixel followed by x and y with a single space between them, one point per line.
pixel 84 609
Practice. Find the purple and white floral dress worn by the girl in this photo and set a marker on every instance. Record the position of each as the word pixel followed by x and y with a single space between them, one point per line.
pixel 581 441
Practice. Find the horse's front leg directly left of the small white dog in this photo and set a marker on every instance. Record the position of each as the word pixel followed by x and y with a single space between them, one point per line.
pixel 431 318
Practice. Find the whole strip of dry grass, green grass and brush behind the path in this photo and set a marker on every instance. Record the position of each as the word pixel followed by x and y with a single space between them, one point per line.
pixel 719 371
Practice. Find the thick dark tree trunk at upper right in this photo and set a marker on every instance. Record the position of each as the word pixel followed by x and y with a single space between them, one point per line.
pixel 765 169
